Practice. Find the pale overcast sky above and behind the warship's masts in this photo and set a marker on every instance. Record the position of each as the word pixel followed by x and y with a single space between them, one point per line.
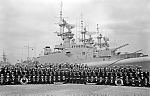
pixel 33 23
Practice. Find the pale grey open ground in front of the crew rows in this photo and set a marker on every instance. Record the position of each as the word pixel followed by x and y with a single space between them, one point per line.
pixel 72 90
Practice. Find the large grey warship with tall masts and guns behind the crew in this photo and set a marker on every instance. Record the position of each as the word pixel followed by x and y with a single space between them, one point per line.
pixel 87 50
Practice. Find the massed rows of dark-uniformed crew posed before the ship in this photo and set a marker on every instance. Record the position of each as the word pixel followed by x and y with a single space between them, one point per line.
pixel 74 73
